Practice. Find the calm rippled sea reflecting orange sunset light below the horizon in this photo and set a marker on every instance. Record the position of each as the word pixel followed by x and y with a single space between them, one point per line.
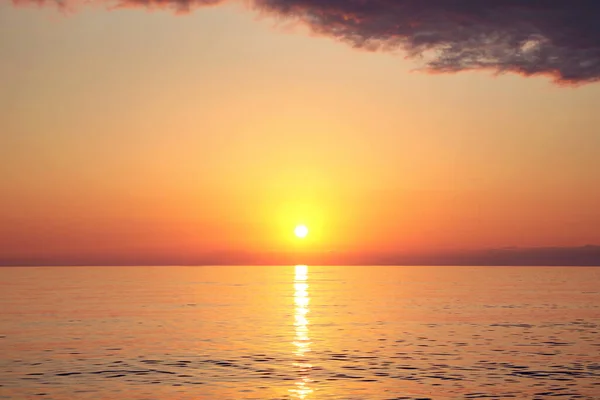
pixel 300 333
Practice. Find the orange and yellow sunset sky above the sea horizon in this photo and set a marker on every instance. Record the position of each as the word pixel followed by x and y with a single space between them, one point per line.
pixel 167 132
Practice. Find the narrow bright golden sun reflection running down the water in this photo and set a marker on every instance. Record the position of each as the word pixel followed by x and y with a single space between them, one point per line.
pixel 302 337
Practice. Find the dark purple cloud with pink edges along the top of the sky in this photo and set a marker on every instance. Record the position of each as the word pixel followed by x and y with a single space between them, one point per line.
pixel 558 38
